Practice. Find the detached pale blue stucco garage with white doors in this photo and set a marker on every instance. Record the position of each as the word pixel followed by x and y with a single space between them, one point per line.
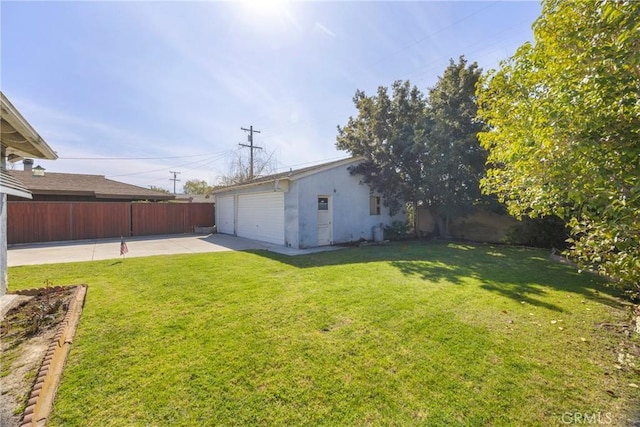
pixel 316 206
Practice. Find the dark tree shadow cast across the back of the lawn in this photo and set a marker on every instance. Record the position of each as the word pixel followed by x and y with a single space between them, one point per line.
pixel 520 274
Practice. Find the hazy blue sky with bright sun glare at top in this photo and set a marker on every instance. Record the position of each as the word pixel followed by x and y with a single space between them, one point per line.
pixel 166 86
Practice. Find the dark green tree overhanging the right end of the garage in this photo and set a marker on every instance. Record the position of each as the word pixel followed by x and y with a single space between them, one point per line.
pixel 420 149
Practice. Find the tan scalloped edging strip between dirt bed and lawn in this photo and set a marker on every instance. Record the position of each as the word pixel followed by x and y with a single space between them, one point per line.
pixel 48 378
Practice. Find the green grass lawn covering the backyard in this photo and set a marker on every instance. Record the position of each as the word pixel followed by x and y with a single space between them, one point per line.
pixel 405 334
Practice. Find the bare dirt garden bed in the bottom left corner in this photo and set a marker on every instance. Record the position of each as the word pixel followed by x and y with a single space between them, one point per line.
pixel 30 334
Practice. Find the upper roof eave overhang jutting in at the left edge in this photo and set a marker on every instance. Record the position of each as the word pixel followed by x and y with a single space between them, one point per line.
pixel 19 137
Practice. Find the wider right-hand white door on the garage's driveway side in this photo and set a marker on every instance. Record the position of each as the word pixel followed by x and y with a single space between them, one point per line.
pixel 261 217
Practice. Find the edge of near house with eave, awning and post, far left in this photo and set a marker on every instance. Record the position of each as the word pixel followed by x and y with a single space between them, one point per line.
pixel 17 141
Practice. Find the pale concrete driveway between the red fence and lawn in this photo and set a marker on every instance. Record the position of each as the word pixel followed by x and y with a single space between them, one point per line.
pixel 93 250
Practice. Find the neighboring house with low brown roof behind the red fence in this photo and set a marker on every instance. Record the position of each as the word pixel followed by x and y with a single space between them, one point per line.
pixel 50 187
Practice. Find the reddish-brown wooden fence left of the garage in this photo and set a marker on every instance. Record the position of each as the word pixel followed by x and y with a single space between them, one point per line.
pixel 29 222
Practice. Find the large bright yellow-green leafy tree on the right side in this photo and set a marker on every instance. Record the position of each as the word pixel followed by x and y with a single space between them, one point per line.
pixel 564 136
